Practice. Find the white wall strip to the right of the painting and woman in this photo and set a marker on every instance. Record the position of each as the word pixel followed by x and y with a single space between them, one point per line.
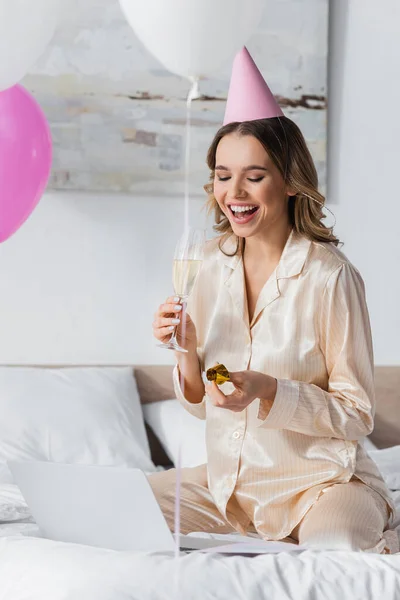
pixel 364 156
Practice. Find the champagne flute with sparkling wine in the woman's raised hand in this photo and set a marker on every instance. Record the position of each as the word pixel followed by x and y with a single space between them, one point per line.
pixel 188 258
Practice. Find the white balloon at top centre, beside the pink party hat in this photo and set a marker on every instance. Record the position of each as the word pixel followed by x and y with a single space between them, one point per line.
pixel 193 37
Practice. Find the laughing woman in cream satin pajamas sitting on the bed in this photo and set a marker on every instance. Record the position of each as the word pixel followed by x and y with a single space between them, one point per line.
pixel 285 311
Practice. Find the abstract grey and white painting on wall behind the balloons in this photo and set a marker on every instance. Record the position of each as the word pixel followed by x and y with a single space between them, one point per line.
pixel 118 117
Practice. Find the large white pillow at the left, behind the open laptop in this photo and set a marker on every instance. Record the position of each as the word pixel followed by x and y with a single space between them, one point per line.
pixel 85 415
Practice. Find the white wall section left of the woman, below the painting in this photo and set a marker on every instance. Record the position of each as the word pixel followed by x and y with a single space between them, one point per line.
pixel 81 280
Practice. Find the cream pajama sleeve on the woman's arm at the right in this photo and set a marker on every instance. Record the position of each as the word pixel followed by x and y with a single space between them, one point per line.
pixel 345 409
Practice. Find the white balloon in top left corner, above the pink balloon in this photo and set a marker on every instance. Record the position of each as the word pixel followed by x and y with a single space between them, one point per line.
pixel 26 28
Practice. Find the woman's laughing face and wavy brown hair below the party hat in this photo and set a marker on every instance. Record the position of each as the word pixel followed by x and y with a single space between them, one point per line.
pixel 262 172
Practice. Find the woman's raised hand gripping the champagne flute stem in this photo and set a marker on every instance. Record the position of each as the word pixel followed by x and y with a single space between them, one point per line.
pixel 165 321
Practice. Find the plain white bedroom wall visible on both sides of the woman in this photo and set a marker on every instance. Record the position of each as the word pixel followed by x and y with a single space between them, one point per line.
pixel 80 281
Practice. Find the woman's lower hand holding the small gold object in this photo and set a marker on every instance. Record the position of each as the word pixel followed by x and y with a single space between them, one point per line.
pixel 249 386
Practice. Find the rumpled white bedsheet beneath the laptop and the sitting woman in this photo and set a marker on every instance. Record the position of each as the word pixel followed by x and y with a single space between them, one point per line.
pixel 37 569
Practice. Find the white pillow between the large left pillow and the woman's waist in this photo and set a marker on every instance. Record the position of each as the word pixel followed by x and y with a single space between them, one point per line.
pixel 173 426
